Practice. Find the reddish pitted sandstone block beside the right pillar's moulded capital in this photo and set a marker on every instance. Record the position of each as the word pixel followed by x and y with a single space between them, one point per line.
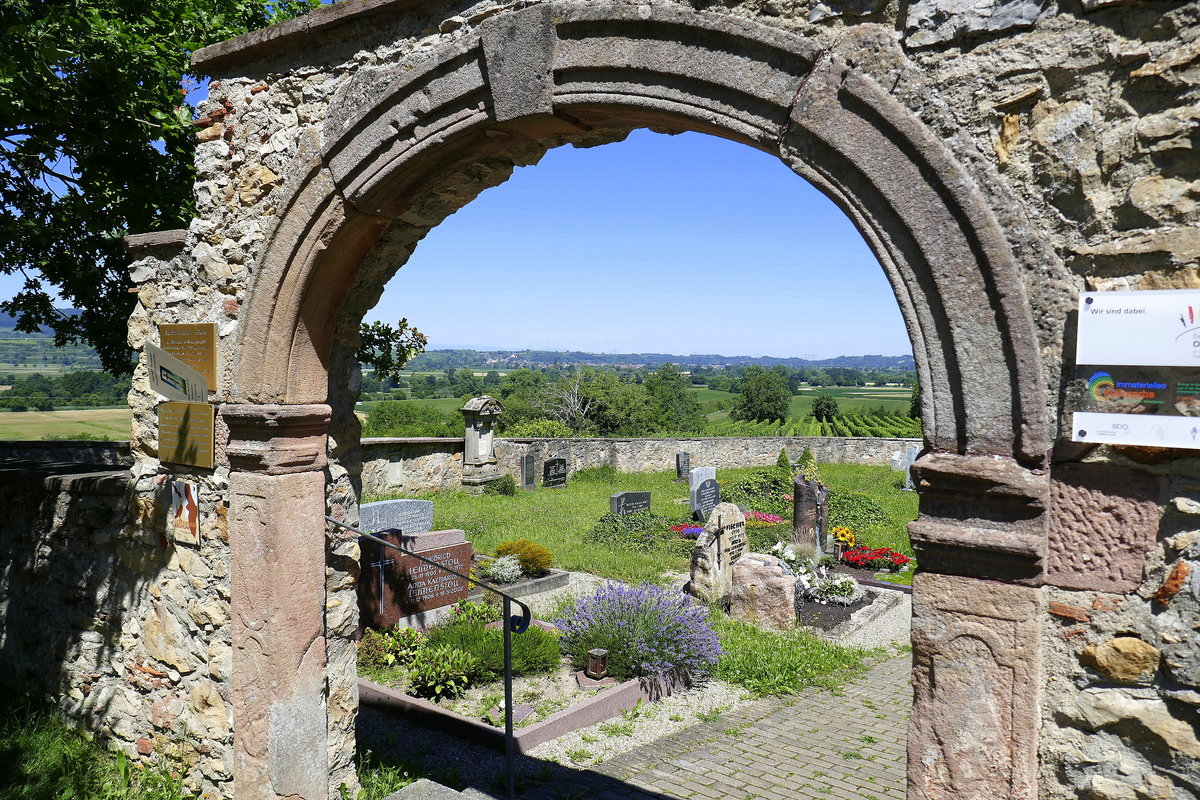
pixel 1103 525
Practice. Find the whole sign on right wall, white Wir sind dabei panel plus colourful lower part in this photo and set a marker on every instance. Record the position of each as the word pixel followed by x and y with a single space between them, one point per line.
pixel 1138 360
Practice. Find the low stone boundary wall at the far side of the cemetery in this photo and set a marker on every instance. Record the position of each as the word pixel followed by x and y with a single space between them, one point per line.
pixel 417 466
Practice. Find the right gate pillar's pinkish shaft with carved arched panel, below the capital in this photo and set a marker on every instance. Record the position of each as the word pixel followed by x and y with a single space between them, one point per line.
pixel 976 675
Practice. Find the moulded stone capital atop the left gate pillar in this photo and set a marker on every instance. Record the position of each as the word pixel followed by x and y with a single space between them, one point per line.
pixel 277 440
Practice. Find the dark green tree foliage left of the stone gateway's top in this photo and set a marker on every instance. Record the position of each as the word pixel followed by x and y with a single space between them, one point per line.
pixel 95 143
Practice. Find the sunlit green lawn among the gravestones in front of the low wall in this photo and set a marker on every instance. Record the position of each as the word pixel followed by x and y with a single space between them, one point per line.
pixel 562 520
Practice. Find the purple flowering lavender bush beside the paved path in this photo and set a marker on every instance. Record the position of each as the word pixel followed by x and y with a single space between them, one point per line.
pixel 647 631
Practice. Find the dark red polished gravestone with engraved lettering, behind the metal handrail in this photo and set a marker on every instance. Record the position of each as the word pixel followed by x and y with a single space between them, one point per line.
pixel 395 586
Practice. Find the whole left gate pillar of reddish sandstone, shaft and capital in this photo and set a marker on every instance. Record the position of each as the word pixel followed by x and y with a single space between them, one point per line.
pixel 278 579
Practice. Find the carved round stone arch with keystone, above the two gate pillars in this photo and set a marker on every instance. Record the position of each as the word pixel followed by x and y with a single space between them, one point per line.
pixel 567 73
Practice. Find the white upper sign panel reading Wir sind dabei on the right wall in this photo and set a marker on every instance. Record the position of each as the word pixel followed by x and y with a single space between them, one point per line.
pixel 1147 329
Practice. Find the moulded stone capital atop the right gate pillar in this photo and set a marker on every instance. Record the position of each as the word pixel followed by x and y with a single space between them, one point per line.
pixel 981 516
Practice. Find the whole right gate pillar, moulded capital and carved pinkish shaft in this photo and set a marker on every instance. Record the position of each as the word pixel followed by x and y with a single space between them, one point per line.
pixel 976 630
